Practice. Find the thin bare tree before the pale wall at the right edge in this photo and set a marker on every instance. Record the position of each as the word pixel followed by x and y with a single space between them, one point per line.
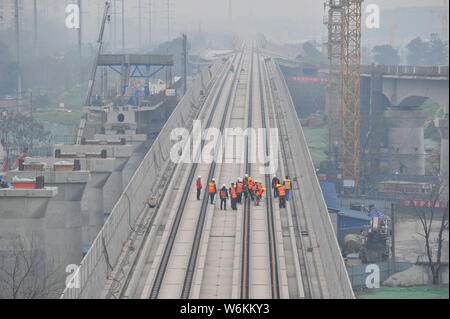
pixel 429 219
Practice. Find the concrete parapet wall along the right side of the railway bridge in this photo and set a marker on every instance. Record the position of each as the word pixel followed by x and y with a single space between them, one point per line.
pixel 337 281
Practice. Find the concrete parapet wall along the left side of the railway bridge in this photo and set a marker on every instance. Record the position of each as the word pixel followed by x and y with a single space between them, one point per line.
pixel 93 271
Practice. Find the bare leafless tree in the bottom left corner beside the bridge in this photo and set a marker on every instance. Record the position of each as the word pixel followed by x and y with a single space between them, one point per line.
pixel 25 273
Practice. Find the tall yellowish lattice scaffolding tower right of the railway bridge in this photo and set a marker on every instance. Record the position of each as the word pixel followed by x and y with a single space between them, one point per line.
pixel 343 106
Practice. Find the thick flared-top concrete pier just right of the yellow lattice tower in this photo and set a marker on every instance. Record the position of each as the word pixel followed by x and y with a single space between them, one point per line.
pixel 406 140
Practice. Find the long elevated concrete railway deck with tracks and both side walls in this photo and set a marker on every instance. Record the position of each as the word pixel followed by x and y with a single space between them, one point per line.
pixel 184 248
